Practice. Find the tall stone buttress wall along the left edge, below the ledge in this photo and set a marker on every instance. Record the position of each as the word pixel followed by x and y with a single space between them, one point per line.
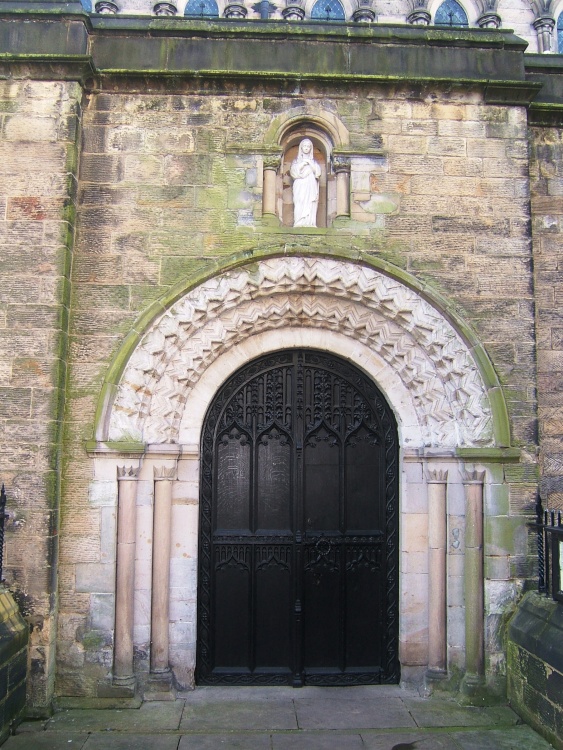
pixel 38 130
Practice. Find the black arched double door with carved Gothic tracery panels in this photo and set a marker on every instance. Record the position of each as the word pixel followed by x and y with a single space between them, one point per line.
pixel 298 560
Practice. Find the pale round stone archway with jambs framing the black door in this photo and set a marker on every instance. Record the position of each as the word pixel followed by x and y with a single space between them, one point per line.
pixel 439 384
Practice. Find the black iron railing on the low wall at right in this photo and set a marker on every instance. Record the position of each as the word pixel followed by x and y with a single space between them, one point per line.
pixel 549 525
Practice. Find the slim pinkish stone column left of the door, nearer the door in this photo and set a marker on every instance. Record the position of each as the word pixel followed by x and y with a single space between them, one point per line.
pixel 161 678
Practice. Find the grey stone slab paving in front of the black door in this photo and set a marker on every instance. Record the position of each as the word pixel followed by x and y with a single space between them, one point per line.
pixel 353 718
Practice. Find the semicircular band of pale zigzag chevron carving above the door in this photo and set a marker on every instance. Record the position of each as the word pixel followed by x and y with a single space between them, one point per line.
pixel 410 335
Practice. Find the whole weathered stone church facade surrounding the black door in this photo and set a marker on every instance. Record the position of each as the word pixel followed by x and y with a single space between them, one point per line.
pixel 149 255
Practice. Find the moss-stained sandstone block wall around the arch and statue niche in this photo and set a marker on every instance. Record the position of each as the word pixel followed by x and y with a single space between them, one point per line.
pixel 170 188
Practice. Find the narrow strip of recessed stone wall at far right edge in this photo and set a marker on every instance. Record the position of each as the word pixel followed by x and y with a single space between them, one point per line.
pixel 546 169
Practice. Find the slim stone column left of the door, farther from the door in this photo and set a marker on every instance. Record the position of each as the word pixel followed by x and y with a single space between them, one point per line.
pixel 125 577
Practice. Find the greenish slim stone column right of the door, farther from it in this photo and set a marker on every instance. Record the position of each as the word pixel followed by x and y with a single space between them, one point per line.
pixel 474 679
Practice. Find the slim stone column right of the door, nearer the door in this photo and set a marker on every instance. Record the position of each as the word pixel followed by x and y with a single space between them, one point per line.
pixel 437 544
